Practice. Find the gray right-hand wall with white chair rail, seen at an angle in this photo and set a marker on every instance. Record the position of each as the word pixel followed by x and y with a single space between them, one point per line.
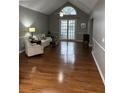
pixel 99 36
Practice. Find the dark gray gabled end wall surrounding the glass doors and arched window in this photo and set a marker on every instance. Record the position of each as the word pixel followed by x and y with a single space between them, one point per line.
pixel 81 17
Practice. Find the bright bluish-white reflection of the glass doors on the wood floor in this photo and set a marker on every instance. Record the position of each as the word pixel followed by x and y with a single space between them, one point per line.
pixel 67 52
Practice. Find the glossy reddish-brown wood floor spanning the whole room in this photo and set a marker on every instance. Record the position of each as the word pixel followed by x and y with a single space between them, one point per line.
pixel 68 68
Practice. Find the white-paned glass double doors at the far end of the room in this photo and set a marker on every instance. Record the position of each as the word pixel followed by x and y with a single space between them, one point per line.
pixel 67 29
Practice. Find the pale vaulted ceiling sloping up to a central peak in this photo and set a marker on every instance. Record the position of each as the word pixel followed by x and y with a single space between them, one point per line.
pixel 49 6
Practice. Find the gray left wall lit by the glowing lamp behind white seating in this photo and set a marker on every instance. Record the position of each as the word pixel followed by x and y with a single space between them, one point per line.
pixel 35 19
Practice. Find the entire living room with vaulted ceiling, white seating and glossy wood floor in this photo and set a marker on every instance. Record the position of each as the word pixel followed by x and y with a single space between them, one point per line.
pixel 56 34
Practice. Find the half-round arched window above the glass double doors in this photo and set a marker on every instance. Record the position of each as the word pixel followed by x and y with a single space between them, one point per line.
pixel 68 10
